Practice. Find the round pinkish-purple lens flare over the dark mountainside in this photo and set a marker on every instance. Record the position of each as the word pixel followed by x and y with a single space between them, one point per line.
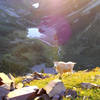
pixel 56 29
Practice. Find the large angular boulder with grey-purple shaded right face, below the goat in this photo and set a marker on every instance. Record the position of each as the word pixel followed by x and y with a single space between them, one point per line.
pixel 55 87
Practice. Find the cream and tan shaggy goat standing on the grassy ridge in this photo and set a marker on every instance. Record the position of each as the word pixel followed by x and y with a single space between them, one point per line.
pixel 62 67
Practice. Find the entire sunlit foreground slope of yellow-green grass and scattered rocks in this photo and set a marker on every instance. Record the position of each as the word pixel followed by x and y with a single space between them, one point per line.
pixel 78 86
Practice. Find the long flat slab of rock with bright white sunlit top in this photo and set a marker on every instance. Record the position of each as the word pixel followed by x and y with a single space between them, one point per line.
pixel 21 94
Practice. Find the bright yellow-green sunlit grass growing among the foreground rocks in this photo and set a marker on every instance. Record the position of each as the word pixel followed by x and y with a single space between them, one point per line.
pixel 73 82
